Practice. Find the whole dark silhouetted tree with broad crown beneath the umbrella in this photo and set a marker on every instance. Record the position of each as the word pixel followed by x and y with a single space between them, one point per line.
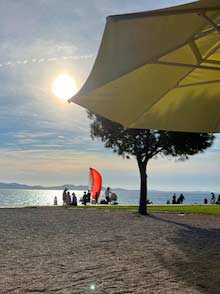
pixel 146 144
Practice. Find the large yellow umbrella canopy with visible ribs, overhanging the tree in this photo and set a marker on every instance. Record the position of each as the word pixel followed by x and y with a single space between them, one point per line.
pixel 159 70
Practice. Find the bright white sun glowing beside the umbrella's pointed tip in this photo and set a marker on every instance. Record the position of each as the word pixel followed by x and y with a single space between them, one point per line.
pixel 64 87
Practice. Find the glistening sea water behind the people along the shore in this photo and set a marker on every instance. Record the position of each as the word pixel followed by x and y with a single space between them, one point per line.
pixel 19 198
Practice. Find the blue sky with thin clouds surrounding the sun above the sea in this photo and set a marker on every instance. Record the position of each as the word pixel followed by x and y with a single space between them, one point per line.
pixel 46 141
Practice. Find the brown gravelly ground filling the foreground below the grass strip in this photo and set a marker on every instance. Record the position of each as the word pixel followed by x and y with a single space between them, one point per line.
pixel 60 250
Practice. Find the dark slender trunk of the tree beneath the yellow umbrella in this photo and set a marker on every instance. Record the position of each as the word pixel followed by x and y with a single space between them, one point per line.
pixel 143 186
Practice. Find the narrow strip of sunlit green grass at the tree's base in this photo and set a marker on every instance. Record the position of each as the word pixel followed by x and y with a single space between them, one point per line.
pixel 205 209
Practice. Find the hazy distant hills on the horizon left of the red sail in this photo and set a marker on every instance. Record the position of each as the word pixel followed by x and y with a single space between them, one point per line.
pixel 28 187
